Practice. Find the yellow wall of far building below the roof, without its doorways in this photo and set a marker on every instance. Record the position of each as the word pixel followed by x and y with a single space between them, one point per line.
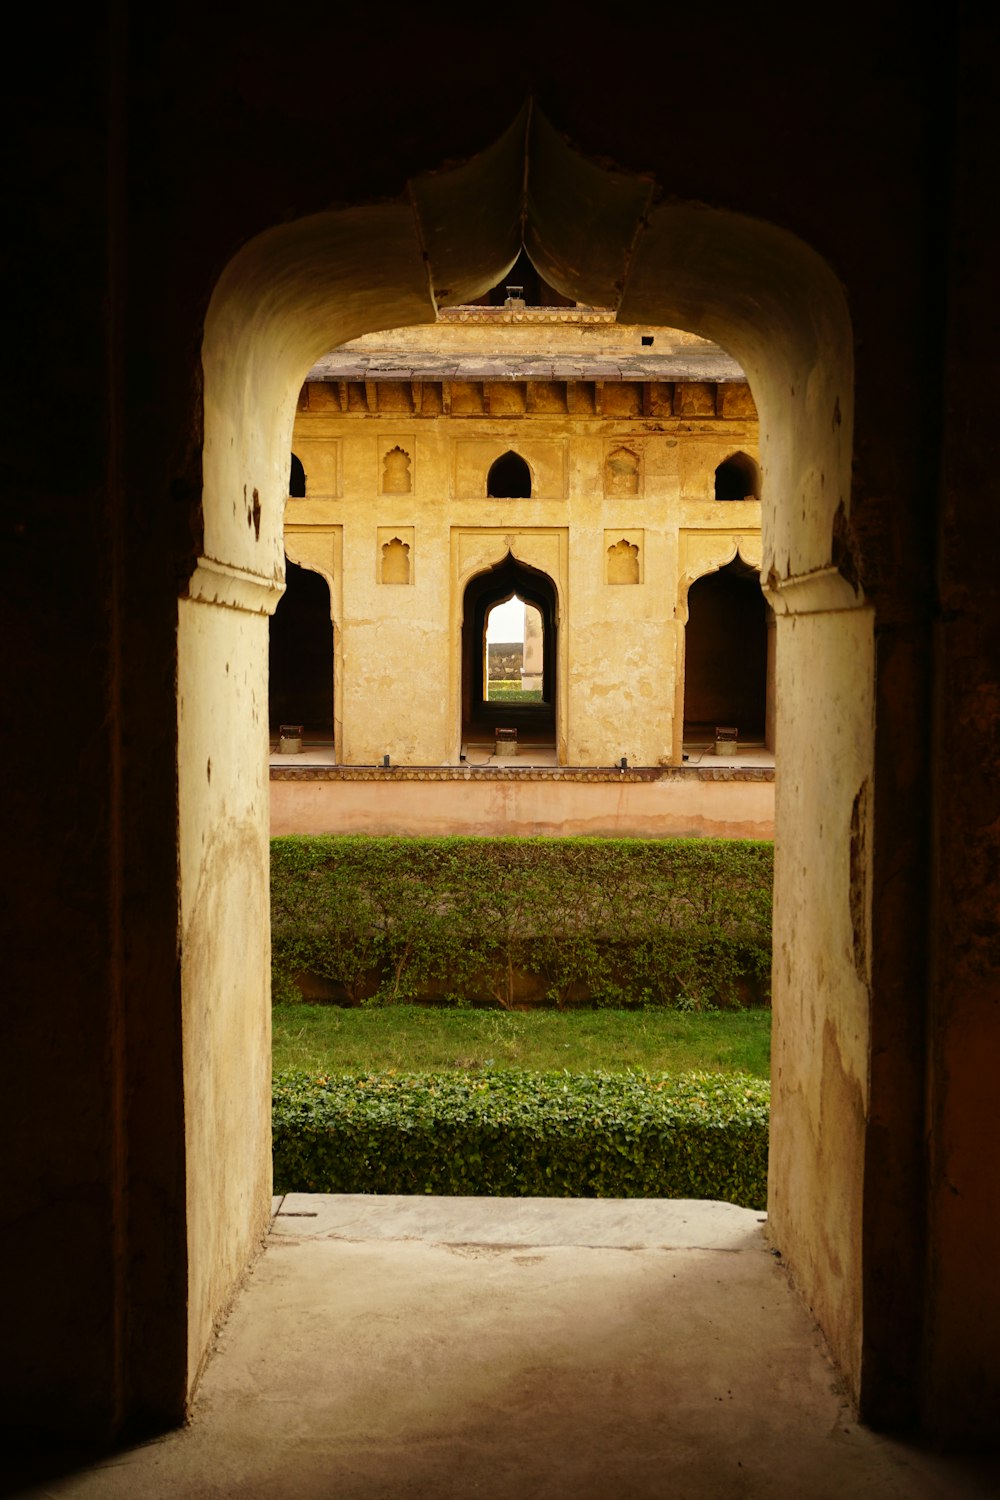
pixel 397 478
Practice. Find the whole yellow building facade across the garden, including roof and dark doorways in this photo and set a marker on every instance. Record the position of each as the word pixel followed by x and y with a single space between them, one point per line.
pixel 442 470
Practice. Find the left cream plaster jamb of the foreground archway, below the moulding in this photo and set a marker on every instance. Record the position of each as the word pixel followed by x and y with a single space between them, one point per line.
pixel 226 952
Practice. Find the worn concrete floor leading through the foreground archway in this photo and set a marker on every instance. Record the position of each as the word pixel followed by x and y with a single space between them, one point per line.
pixel 533 1349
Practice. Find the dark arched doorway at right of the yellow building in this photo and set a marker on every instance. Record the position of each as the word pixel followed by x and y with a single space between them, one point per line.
pixel 726 655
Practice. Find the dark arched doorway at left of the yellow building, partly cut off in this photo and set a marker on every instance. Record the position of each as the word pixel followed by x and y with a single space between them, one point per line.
pixel 301 658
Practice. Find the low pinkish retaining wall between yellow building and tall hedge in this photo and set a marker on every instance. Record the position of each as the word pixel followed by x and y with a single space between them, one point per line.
pixel 645 803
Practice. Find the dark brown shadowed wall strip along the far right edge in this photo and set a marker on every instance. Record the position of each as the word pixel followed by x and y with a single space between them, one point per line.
pixel 965 980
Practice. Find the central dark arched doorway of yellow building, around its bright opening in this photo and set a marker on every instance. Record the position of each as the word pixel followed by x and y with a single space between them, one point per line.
pixel 485 712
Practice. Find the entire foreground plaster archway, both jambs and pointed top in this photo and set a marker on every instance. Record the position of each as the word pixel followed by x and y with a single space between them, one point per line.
pixel 605 239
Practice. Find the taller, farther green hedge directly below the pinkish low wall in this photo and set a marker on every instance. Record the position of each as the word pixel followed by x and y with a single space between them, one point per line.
pixel 600 922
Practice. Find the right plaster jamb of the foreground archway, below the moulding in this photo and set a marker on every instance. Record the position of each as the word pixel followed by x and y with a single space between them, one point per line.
pixel 822 974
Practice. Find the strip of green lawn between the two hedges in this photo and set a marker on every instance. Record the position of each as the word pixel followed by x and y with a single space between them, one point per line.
pixel 415 1039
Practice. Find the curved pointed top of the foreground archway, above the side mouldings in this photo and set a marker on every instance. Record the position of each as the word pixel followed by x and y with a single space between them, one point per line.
pixel 296 292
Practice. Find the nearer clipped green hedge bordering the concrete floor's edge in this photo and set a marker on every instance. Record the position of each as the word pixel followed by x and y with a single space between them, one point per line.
pixel 525 1135
